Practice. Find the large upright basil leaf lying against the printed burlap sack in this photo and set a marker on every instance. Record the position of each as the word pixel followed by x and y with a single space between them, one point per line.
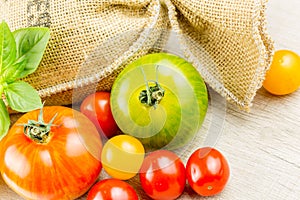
pixel 31 43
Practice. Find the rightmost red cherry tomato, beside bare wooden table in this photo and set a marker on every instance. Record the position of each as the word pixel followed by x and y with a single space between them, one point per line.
pixel 207 171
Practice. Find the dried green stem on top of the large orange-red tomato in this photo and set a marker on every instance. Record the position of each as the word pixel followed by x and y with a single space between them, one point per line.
pixel 39 131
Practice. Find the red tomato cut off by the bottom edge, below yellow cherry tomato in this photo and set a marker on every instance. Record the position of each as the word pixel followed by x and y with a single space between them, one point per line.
pixel 112 189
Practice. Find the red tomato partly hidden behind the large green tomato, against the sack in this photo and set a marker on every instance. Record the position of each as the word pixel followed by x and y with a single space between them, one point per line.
pixel 96 107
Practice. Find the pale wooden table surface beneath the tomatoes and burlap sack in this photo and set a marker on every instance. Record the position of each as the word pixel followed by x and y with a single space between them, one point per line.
pixel 263 146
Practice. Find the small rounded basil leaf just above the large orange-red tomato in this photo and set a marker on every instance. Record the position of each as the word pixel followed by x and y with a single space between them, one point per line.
pixel 22 97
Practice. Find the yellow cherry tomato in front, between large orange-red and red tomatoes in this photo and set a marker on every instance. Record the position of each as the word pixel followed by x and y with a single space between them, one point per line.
pixel 122 156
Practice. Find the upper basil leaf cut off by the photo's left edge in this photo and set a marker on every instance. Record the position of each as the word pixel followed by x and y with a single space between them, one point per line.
pixel 7 47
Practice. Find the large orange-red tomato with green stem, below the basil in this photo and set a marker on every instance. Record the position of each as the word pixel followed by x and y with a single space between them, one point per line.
pixel 52 153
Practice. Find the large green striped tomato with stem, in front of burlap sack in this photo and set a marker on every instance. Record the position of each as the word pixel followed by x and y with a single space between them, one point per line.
pixel 161 99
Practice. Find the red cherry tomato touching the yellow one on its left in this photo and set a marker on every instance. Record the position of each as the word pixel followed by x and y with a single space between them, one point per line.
pixel 162 175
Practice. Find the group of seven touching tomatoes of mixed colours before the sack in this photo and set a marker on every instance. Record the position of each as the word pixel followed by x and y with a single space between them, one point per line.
pixel 73 147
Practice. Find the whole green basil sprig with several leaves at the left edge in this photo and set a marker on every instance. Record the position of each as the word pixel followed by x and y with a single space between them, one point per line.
pixel 21 52
